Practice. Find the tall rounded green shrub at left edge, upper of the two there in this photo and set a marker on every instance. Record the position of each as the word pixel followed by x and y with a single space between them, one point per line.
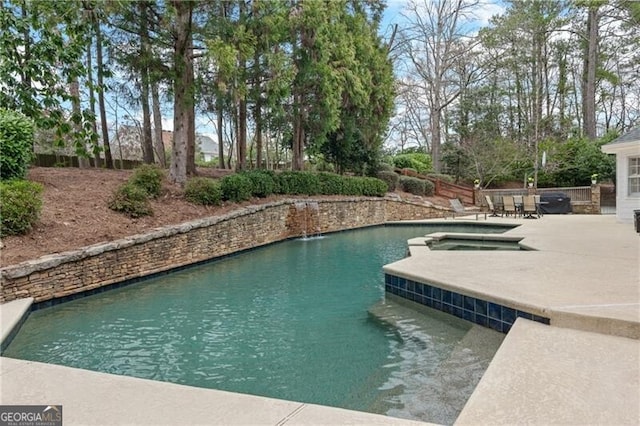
pixel 16 143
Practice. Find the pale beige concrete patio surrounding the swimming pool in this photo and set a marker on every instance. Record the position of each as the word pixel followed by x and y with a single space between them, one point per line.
pixel 582 369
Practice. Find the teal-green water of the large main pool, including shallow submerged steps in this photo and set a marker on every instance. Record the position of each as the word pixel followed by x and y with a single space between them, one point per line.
pixel 300 320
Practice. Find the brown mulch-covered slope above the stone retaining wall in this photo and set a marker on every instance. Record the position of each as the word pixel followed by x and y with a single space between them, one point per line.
pixel 75 213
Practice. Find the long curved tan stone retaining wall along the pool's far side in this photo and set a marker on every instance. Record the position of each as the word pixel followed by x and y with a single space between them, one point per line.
pixel 64 274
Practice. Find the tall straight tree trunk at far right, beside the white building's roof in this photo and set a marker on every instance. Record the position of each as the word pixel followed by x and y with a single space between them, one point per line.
pixel 589 75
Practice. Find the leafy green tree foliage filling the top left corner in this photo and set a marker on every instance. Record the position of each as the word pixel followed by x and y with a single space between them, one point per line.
pixel 55 35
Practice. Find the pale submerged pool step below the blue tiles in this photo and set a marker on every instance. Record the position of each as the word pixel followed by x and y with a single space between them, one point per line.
pixel 454 363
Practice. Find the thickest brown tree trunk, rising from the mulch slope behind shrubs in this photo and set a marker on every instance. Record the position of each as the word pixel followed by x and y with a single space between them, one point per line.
pixel 181 53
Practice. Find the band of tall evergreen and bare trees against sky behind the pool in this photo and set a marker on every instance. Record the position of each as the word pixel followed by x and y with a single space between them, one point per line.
pixel 288 83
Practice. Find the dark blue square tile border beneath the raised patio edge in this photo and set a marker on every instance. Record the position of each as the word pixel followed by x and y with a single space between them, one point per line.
pixel 488 314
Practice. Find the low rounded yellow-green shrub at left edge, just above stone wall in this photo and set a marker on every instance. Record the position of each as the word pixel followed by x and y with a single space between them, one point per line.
pixel 20 204
